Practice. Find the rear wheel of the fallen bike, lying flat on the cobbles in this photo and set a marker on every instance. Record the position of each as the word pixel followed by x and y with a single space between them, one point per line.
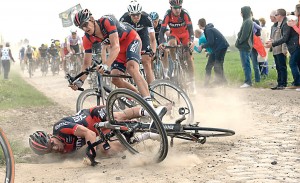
pixel 209 132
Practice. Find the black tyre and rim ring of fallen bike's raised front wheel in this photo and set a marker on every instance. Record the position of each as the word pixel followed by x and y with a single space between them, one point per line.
pixel 110 108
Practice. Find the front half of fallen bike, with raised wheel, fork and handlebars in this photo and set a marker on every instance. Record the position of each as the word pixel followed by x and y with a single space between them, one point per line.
pixel 126 131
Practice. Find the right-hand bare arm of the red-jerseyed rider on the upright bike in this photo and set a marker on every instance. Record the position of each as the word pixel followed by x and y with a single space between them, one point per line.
pixel 114 48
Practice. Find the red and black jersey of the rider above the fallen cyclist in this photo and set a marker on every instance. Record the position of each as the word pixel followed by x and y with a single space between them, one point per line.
pixel 108 24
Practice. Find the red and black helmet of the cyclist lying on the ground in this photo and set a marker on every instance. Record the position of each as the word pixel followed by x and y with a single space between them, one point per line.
pixel 39 142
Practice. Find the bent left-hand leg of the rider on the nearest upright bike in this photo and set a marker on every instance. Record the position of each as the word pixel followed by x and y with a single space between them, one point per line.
pixel 119 68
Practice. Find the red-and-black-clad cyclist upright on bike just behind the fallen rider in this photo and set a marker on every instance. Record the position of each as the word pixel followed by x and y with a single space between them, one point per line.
pixel 125 48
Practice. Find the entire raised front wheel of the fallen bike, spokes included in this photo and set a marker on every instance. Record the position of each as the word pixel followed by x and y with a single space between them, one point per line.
pixel 150 143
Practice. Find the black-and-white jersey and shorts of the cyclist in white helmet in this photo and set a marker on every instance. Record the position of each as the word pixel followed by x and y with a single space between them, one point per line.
pixel 143 28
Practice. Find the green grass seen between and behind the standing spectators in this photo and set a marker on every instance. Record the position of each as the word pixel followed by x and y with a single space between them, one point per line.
pixel 234 72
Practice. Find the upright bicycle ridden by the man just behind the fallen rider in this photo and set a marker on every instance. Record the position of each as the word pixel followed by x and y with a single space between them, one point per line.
pixel 163 92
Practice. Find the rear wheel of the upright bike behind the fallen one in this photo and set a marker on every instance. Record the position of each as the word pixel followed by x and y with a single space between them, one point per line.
pixel 160 86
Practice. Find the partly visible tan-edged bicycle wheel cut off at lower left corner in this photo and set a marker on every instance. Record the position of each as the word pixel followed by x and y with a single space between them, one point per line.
pixel 7 158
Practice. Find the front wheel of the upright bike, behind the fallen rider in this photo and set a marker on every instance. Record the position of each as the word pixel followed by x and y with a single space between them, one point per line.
pixel 89 98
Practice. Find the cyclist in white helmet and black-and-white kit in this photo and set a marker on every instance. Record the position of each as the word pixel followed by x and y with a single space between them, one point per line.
pixel 141 22
